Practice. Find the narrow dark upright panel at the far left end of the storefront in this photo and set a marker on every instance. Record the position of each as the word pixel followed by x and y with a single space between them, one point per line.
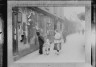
pixel 15 37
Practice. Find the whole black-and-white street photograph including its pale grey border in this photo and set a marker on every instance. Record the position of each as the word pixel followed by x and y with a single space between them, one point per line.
pixel 49 33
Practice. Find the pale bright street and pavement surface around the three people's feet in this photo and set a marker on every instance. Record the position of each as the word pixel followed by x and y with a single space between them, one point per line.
pixel 72 51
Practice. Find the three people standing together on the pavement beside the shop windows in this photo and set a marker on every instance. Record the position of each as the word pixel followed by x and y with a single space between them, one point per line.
pixel 45 44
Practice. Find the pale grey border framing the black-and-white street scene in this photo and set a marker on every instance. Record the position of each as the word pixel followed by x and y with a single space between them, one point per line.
pixel 87 4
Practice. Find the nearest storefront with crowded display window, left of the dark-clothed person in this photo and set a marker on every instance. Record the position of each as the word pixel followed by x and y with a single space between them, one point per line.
pixel 24 37
